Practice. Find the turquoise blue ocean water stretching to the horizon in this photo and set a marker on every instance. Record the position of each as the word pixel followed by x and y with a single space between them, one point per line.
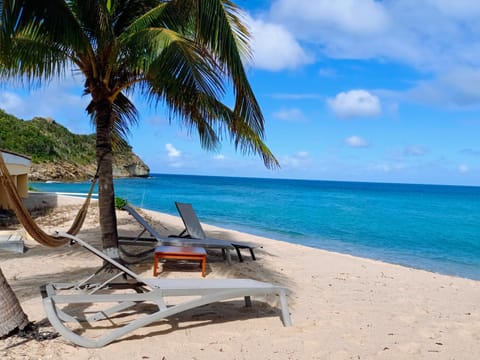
pixel 430 227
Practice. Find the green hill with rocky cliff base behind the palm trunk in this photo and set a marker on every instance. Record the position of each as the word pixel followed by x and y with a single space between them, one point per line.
pixel 59 155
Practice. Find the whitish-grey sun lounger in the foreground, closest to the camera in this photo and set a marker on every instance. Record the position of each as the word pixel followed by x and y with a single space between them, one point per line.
pixel 124 290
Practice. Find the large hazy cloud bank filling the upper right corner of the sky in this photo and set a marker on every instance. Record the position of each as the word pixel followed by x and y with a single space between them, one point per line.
pixel 436 37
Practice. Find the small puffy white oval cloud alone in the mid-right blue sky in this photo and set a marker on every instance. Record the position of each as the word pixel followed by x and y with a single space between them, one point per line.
pixel 355 103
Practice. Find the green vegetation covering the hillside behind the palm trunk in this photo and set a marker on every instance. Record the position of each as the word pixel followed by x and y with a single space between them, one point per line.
pixel 44 140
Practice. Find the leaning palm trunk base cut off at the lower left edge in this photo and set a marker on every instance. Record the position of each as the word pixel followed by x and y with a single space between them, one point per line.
pixel 12 315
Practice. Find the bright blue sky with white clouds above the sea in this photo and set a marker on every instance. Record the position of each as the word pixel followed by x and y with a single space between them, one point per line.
pixel 355 90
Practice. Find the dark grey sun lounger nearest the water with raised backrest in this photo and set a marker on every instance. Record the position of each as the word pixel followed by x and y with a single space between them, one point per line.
pixel 194 230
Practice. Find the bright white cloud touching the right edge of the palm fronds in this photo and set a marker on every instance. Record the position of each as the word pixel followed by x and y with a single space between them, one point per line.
pixel 274 48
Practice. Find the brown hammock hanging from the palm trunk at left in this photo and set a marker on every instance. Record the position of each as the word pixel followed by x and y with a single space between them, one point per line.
pixel 25 218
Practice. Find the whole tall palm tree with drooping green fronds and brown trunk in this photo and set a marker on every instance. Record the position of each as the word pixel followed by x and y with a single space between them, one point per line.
pixel 178 53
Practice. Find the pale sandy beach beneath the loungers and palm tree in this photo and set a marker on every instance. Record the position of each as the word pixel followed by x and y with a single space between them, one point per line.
pixel 342 307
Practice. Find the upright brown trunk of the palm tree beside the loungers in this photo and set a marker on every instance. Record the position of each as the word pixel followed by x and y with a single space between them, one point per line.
pixel 106 194
